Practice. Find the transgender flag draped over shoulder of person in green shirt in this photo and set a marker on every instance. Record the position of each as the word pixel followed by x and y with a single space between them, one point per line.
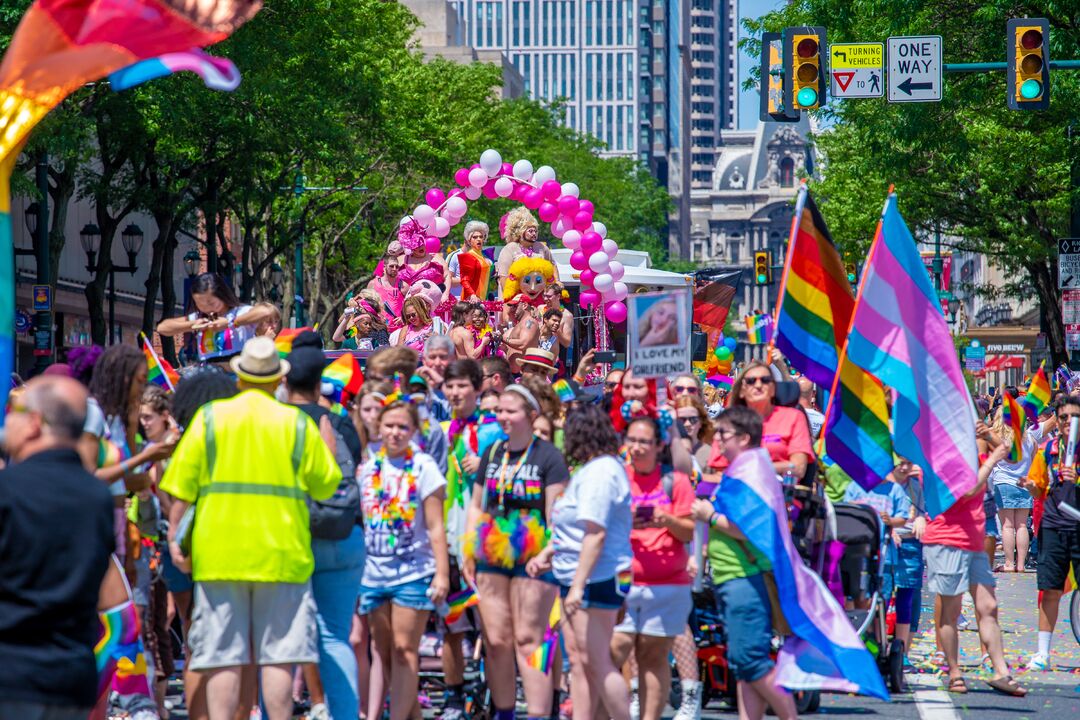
pixel 823 650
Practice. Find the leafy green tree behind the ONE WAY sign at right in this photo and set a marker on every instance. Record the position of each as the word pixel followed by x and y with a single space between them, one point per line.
pixel 995 180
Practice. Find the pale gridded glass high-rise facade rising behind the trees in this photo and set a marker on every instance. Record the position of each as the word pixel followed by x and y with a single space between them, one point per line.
pixel 583 53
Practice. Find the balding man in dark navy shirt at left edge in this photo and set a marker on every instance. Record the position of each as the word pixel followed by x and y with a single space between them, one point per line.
pixel 56 540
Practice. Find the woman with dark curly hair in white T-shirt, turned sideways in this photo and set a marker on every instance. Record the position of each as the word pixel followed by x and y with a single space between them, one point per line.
pixel 592 559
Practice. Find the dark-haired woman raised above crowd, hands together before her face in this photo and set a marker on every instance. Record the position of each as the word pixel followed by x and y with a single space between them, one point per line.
pixel 221 323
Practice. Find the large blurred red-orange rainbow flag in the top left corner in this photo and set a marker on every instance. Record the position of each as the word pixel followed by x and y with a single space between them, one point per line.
pixel 59 47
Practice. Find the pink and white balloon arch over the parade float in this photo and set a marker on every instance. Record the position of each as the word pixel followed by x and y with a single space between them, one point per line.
pixel 557 203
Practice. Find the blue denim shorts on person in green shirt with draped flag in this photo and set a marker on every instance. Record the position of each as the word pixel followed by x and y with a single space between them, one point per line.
pixel 747 615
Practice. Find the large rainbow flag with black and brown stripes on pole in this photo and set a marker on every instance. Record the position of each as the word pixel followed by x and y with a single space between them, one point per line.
pixel 815 311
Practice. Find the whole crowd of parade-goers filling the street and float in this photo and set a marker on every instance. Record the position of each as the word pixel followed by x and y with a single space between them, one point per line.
pixel 308 545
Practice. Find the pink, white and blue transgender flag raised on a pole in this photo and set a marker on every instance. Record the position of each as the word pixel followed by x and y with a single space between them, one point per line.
pixel 900 336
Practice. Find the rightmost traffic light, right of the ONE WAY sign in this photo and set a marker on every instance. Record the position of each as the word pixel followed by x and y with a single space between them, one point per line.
pixel 1028 87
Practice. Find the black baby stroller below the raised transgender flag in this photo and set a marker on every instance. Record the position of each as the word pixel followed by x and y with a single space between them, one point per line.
pixel 859 528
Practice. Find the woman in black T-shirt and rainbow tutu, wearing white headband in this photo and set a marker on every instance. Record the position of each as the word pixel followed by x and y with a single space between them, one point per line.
pixel 517 484
